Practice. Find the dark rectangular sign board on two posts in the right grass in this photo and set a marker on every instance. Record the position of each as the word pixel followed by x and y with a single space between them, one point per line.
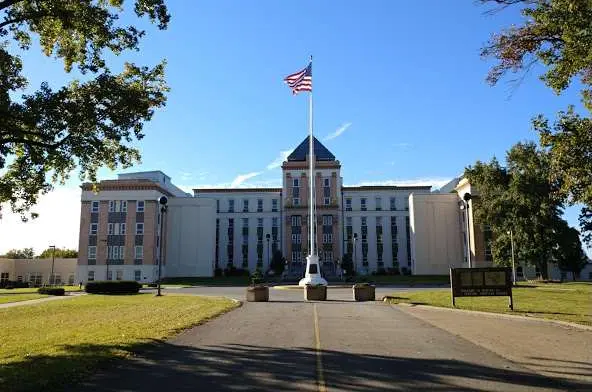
pixel 476 282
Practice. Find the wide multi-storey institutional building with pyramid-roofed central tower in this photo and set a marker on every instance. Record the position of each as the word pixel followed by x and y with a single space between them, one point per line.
pixel 409 228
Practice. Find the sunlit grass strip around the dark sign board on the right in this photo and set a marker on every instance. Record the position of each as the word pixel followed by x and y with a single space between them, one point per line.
pixel 559 301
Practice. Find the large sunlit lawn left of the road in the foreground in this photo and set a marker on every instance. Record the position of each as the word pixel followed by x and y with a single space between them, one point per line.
pixel 46 345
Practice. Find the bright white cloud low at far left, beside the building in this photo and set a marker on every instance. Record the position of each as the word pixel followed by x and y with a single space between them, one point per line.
pixel 58 223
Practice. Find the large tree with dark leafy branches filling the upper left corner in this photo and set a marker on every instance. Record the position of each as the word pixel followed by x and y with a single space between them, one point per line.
pixel 86 124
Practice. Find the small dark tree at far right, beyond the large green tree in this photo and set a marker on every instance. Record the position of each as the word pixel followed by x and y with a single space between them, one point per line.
pixel 568 254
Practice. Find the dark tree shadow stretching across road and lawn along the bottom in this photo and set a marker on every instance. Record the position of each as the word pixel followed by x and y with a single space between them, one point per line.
pixel 165 366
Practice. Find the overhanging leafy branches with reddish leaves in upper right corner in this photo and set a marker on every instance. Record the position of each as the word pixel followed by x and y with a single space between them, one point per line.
pixel 555 33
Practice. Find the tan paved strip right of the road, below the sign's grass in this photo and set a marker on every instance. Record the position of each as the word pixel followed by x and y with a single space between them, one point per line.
pixel 549 349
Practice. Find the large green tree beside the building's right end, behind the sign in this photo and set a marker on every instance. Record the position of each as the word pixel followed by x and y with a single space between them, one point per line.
pixel 518 197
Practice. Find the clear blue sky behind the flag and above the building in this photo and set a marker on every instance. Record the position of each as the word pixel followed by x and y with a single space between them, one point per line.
pixel 403 79
